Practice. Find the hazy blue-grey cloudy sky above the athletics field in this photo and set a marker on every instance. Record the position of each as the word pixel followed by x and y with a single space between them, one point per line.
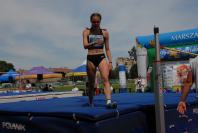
pixel 49 32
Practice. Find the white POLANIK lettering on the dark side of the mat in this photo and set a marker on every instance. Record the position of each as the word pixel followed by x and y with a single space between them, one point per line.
pixel 13 126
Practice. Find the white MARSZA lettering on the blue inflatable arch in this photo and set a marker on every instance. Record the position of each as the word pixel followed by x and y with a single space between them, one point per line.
pixel 184 36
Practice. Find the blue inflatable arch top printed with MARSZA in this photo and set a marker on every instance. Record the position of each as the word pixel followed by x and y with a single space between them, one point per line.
pixel 184 37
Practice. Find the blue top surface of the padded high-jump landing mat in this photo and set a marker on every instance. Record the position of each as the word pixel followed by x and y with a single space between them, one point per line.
pixel 78 106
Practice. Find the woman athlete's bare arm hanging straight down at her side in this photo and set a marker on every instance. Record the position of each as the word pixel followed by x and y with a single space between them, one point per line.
pixel 107 48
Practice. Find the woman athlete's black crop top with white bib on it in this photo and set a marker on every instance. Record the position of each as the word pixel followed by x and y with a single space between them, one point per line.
pixel 92 37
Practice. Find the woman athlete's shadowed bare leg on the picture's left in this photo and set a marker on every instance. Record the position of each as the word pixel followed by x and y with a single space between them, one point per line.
pixel 91 72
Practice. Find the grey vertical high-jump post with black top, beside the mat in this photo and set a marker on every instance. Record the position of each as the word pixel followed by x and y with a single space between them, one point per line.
pixel 159 104
